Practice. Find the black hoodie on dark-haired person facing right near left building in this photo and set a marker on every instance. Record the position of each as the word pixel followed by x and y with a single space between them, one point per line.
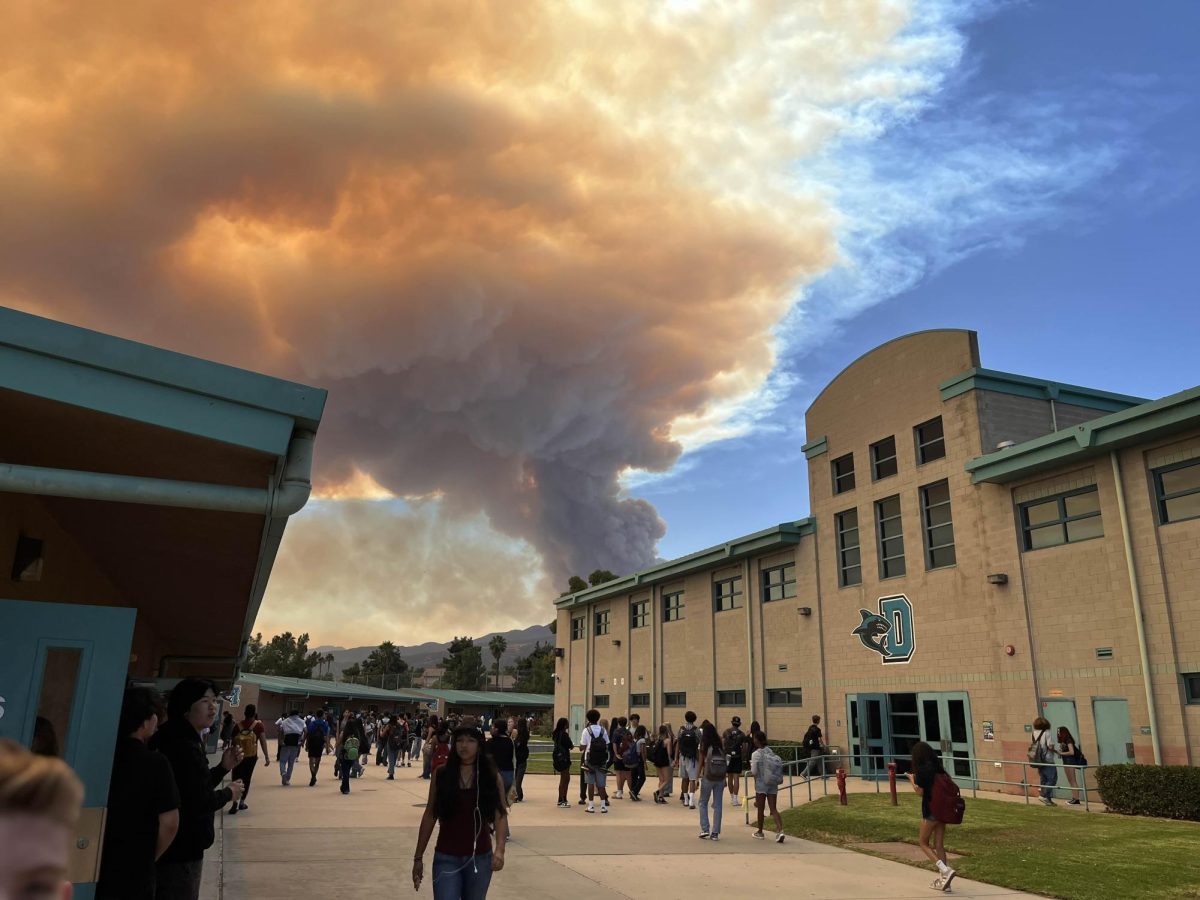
pixel 200 796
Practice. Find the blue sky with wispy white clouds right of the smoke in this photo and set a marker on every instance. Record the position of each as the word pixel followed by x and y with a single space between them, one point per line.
pixel 1084 272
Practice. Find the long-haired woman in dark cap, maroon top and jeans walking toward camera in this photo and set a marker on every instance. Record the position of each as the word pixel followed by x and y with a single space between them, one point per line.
pixel 467 803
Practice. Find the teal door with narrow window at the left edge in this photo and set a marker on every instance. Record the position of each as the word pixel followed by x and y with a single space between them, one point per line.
pixel 62 679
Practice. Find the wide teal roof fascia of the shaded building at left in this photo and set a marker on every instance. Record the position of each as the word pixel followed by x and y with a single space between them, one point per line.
pixel 148 385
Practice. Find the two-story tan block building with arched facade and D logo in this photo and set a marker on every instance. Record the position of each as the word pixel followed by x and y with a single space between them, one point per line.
pixel 983 548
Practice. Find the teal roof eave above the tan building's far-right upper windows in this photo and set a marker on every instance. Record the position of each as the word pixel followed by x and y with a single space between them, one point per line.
pixel 1179 412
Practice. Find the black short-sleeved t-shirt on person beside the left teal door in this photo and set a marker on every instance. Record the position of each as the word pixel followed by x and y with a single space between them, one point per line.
pixel 143 787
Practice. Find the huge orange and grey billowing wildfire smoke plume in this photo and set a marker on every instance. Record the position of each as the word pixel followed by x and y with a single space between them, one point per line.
pixel 526 247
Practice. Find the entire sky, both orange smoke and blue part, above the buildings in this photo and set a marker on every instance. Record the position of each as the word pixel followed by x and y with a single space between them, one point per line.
pixel 573 272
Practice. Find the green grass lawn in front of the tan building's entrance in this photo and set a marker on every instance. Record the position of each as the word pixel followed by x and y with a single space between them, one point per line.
pixel 1059 853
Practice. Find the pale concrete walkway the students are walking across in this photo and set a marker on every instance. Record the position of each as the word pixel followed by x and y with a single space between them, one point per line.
pixel 303 841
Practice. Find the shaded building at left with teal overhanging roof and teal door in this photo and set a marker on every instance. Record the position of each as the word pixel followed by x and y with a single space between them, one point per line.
pixel 143 497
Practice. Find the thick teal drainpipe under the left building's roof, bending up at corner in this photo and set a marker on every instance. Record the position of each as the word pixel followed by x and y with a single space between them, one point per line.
pixel 277 502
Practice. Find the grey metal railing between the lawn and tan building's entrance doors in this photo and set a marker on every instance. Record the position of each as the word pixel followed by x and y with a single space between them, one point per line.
pixel 827 769
